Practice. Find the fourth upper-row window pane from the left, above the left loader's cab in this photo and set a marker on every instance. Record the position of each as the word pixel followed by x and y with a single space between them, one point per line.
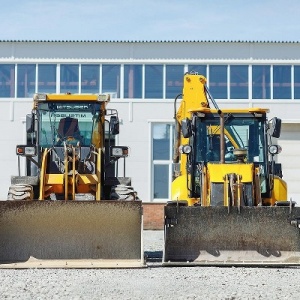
pixel 69 77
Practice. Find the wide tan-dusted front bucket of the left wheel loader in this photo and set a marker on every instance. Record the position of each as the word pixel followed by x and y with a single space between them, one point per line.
pixel 71 234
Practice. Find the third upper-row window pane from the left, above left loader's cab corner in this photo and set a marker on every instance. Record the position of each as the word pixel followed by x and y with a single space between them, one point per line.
pixel 46 78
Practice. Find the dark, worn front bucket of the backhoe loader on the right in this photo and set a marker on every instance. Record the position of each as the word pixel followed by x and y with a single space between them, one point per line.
pixel 253 236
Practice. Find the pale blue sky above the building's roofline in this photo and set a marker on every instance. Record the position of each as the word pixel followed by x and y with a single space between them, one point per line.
pixel 210 20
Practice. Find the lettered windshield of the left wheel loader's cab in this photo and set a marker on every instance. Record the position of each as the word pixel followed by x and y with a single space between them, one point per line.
pixel 71 123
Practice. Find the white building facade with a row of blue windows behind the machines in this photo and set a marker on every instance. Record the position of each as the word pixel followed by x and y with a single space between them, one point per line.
pixel 143 79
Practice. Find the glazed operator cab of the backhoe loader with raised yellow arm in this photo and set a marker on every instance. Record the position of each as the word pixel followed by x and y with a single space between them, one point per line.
pixel 245 141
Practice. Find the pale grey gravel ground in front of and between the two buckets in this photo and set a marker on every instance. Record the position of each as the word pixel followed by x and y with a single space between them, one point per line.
pixel 153 282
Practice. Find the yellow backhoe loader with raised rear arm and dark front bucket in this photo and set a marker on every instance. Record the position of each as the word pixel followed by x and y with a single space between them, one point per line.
pixel 229 202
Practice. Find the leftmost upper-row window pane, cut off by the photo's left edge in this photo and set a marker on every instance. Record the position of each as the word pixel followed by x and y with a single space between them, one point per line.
pixel 7 81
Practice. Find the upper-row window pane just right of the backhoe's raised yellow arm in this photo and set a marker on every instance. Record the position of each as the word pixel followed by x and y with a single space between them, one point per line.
pixel 218 81
